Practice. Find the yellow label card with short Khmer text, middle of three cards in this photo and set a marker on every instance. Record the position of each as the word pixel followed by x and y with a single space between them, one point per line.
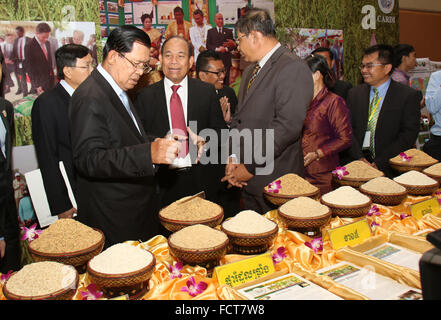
pixel 350 234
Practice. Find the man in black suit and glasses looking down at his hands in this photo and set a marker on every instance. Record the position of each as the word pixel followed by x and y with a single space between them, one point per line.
pixel 114 158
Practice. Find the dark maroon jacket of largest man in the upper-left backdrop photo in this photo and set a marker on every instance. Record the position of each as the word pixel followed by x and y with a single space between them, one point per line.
pixel 38 67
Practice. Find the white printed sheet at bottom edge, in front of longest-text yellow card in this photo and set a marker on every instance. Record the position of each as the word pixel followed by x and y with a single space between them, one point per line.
pixel 287 287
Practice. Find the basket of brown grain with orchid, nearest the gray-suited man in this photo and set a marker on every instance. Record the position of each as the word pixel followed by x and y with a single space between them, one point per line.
pixel 288 187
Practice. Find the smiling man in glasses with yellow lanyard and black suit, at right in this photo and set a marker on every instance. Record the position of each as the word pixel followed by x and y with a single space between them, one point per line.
pixel 385 114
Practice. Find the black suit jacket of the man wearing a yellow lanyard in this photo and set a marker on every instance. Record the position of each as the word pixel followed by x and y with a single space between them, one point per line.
pixel 397 126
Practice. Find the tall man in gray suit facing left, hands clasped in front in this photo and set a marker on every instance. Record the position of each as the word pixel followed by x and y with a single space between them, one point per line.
pixel 274 94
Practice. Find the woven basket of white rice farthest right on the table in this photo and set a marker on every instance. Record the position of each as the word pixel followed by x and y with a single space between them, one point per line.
pixel 417 183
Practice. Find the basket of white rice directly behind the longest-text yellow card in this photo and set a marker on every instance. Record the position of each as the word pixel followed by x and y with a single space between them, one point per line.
pixel 249 232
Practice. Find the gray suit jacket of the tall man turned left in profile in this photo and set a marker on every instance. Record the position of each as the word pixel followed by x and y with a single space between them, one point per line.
pixel 277 100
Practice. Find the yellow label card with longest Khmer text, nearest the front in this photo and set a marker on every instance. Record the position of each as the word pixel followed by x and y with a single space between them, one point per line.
pixel 244 271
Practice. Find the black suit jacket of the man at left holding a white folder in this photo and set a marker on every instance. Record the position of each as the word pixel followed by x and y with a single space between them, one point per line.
pixel 50 132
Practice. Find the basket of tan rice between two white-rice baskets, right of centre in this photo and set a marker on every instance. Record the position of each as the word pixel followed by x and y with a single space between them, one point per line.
pixel 384 191
